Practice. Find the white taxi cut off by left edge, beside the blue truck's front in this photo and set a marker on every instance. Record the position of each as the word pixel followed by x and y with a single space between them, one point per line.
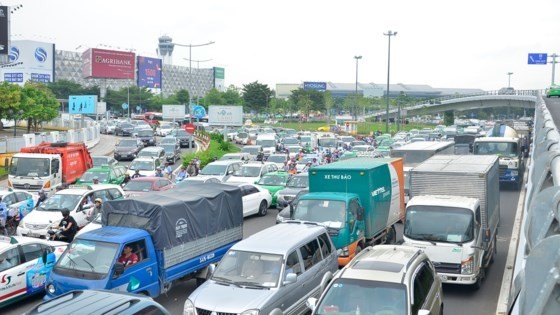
pixel 25 264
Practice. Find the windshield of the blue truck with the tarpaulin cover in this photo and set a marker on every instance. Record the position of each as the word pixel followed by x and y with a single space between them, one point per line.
pixel 90 257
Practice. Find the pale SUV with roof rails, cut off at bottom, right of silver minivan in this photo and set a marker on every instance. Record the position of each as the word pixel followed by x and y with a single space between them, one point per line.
pixel 388 279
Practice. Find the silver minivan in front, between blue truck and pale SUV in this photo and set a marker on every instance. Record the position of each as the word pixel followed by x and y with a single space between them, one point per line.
pixel 276 279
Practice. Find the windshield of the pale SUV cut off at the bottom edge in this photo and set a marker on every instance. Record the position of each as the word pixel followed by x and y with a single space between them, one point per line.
pixel 350 296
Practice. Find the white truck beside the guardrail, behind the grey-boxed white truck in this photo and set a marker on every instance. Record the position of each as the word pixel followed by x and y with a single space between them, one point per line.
pixel 504 141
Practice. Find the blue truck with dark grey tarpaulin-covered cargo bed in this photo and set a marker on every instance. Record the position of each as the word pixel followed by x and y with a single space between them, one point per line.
pixel 172 235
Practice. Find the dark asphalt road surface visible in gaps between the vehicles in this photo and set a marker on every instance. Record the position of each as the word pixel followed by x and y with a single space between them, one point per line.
pixel 457 299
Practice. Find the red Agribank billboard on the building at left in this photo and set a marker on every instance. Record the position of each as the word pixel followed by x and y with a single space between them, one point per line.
pixel 108 64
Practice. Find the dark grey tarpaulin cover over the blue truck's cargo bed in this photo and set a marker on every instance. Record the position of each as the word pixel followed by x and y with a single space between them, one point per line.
pixel 178 215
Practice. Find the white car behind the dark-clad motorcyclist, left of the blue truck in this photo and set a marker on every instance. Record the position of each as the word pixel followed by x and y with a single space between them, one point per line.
pixel 79 200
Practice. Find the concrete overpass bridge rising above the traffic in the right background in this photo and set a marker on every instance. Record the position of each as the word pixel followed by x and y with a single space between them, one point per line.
pixel 490 99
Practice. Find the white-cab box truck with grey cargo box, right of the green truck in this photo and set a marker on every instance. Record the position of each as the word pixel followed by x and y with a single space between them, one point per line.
pixel 453 215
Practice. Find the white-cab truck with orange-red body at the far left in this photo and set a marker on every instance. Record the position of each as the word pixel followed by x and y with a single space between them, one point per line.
pixel 48 165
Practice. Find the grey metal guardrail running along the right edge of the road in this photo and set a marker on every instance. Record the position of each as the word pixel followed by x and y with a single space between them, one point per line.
pixel 535 279
